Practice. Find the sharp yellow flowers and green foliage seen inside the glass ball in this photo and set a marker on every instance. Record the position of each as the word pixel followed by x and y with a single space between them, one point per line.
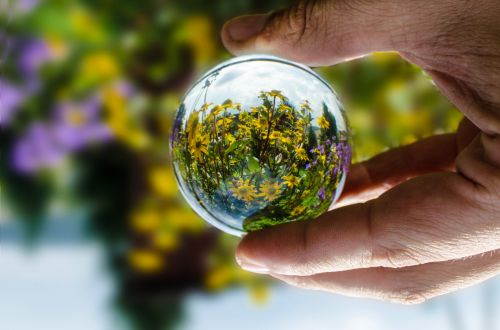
pixel 268 164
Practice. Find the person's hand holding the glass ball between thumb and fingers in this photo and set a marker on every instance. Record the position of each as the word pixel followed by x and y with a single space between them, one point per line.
pixel 436 226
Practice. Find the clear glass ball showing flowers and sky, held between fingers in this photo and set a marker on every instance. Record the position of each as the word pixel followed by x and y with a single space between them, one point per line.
pixel 260 141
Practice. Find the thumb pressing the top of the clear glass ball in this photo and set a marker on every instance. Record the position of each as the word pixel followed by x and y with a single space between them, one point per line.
pixel 324 32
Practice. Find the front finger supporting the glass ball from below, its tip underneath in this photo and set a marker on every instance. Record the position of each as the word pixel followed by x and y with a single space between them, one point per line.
pixel 427 219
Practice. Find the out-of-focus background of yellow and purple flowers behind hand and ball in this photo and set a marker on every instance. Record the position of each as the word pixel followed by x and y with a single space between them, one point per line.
pixel 94 233
